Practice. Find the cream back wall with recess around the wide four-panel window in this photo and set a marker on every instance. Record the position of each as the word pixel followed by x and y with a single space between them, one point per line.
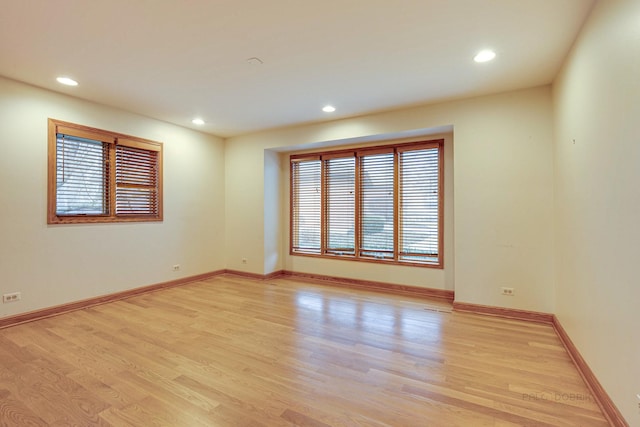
pixel 502 201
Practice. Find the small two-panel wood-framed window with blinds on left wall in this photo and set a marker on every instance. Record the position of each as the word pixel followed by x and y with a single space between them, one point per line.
pixel 100 176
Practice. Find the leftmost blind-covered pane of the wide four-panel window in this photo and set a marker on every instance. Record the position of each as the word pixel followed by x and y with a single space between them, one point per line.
pixel 305 203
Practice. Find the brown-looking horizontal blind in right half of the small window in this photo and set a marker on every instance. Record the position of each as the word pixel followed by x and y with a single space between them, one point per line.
pixel 136 181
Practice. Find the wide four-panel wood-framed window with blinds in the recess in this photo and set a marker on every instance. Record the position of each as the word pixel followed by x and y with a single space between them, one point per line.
pixel 374 204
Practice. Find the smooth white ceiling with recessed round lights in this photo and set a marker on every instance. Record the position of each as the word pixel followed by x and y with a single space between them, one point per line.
pixel 177 59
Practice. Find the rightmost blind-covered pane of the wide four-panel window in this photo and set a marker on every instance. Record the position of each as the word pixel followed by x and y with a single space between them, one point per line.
pixel 419 210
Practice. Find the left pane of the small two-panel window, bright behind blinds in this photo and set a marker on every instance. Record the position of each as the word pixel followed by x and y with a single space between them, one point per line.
pixel 81 176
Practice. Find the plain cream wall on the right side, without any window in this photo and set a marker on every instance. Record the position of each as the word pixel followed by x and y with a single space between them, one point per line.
pixel 597 168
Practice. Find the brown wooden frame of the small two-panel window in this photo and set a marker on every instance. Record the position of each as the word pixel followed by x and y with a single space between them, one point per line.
pixel 111 141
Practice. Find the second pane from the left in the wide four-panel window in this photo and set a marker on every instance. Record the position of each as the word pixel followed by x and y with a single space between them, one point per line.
pixel 340 175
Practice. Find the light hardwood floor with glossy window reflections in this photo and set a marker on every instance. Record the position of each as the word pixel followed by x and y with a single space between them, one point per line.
pixel 231 351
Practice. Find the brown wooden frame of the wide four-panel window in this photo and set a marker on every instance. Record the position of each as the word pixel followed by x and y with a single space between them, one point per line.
pixel 323 251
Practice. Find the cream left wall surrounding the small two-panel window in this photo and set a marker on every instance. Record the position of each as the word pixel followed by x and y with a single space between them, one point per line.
pixel 57 264
